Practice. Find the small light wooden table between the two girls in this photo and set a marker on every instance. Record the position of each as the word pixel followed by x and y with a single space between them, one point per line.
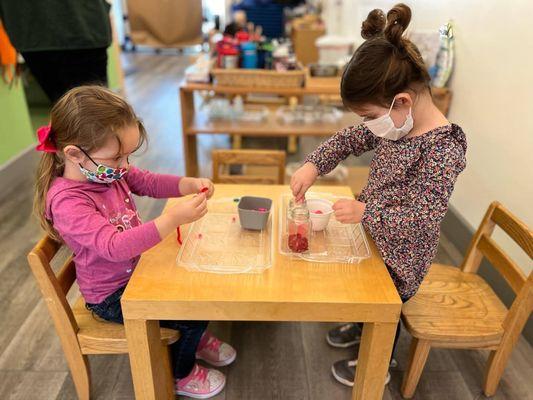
pixel 291 290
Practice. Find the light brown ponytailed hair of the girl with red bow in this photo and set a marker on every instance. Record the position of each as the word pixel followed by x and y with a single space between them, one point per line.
pixel 85 116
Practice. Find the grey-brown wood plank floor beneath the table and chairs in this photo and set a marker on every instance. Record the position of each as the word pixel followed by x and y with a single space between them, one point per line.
pixel 276 360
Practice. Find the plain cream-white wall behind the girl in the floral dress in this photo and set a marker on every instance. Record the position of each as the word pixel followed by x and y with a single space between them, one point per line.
pixel 493 101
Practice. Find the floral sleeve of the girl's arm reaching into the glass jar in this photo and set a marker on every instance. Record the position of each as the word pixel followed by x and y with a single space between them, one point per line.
pixel 354 140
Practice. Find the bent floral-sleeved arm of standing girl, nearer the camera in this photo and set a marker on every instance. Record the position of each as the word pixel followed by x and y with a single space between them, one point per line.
pixel 426 198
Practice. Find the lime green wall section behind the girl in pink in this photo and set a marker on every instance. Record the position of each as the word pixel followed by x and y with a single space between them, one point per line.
pixel 16 132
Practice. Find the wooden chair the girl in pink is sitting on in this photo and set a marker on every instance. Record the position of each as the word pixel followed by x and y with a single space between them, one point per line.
pixel 80 333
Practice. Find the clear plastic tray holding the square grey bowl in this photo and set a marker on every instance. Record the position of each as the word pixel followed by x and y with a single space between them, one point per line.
pixel 217 243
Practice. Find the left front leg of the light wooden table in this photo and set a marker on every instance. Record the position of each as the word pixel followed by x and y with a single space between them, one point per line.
pixel 149 367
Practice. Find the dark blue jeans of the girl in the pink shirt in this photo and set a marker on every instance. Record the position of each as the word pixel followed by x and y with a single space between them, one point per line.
pixel 183 352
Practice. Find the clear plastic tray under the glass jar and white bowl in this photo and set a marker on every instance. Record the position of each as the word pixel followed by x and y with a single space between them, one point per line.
pixel 344 243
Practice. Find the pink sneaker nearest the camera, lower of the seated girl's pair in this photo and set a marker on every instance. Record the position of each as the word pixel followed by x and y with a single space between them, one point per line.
pixel 201 383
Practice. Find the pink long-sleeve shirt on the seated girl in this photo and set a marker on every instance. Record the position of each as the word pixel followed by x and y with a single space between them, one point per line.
pixel 101 225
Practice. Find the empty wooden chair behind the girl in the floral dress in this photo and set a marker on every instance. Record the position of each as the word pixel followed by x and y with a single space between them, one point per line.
pixel 456 308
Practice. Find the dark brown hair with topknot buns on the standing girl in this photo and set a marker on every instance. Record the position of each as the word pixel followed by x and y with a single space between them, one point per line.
pixel 386 64
